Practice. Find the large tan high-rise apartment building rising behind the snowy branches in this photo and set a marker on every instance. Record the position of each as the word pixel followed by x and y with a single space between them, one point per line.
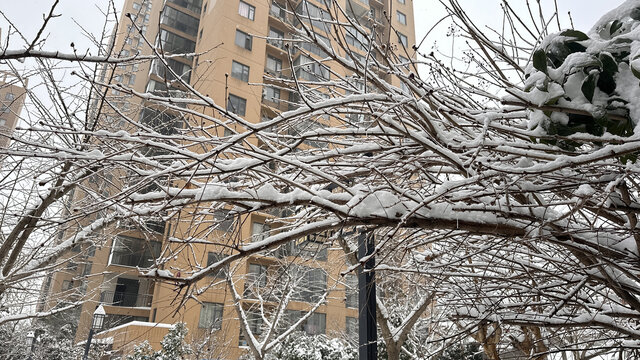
pixel 241 48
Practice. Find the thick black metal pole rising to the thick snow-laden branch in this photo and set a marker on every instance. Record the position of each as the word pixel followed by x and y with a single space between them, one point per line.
pixel 367 329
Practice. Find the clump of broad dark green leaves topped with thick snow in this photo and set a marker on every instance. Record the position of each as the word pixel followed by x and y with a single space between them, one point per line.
pixel 587 83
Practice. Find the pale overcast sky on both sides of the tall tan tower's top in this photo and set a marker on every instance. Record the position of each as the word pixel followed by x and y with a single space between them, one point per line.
pixel 89 15
